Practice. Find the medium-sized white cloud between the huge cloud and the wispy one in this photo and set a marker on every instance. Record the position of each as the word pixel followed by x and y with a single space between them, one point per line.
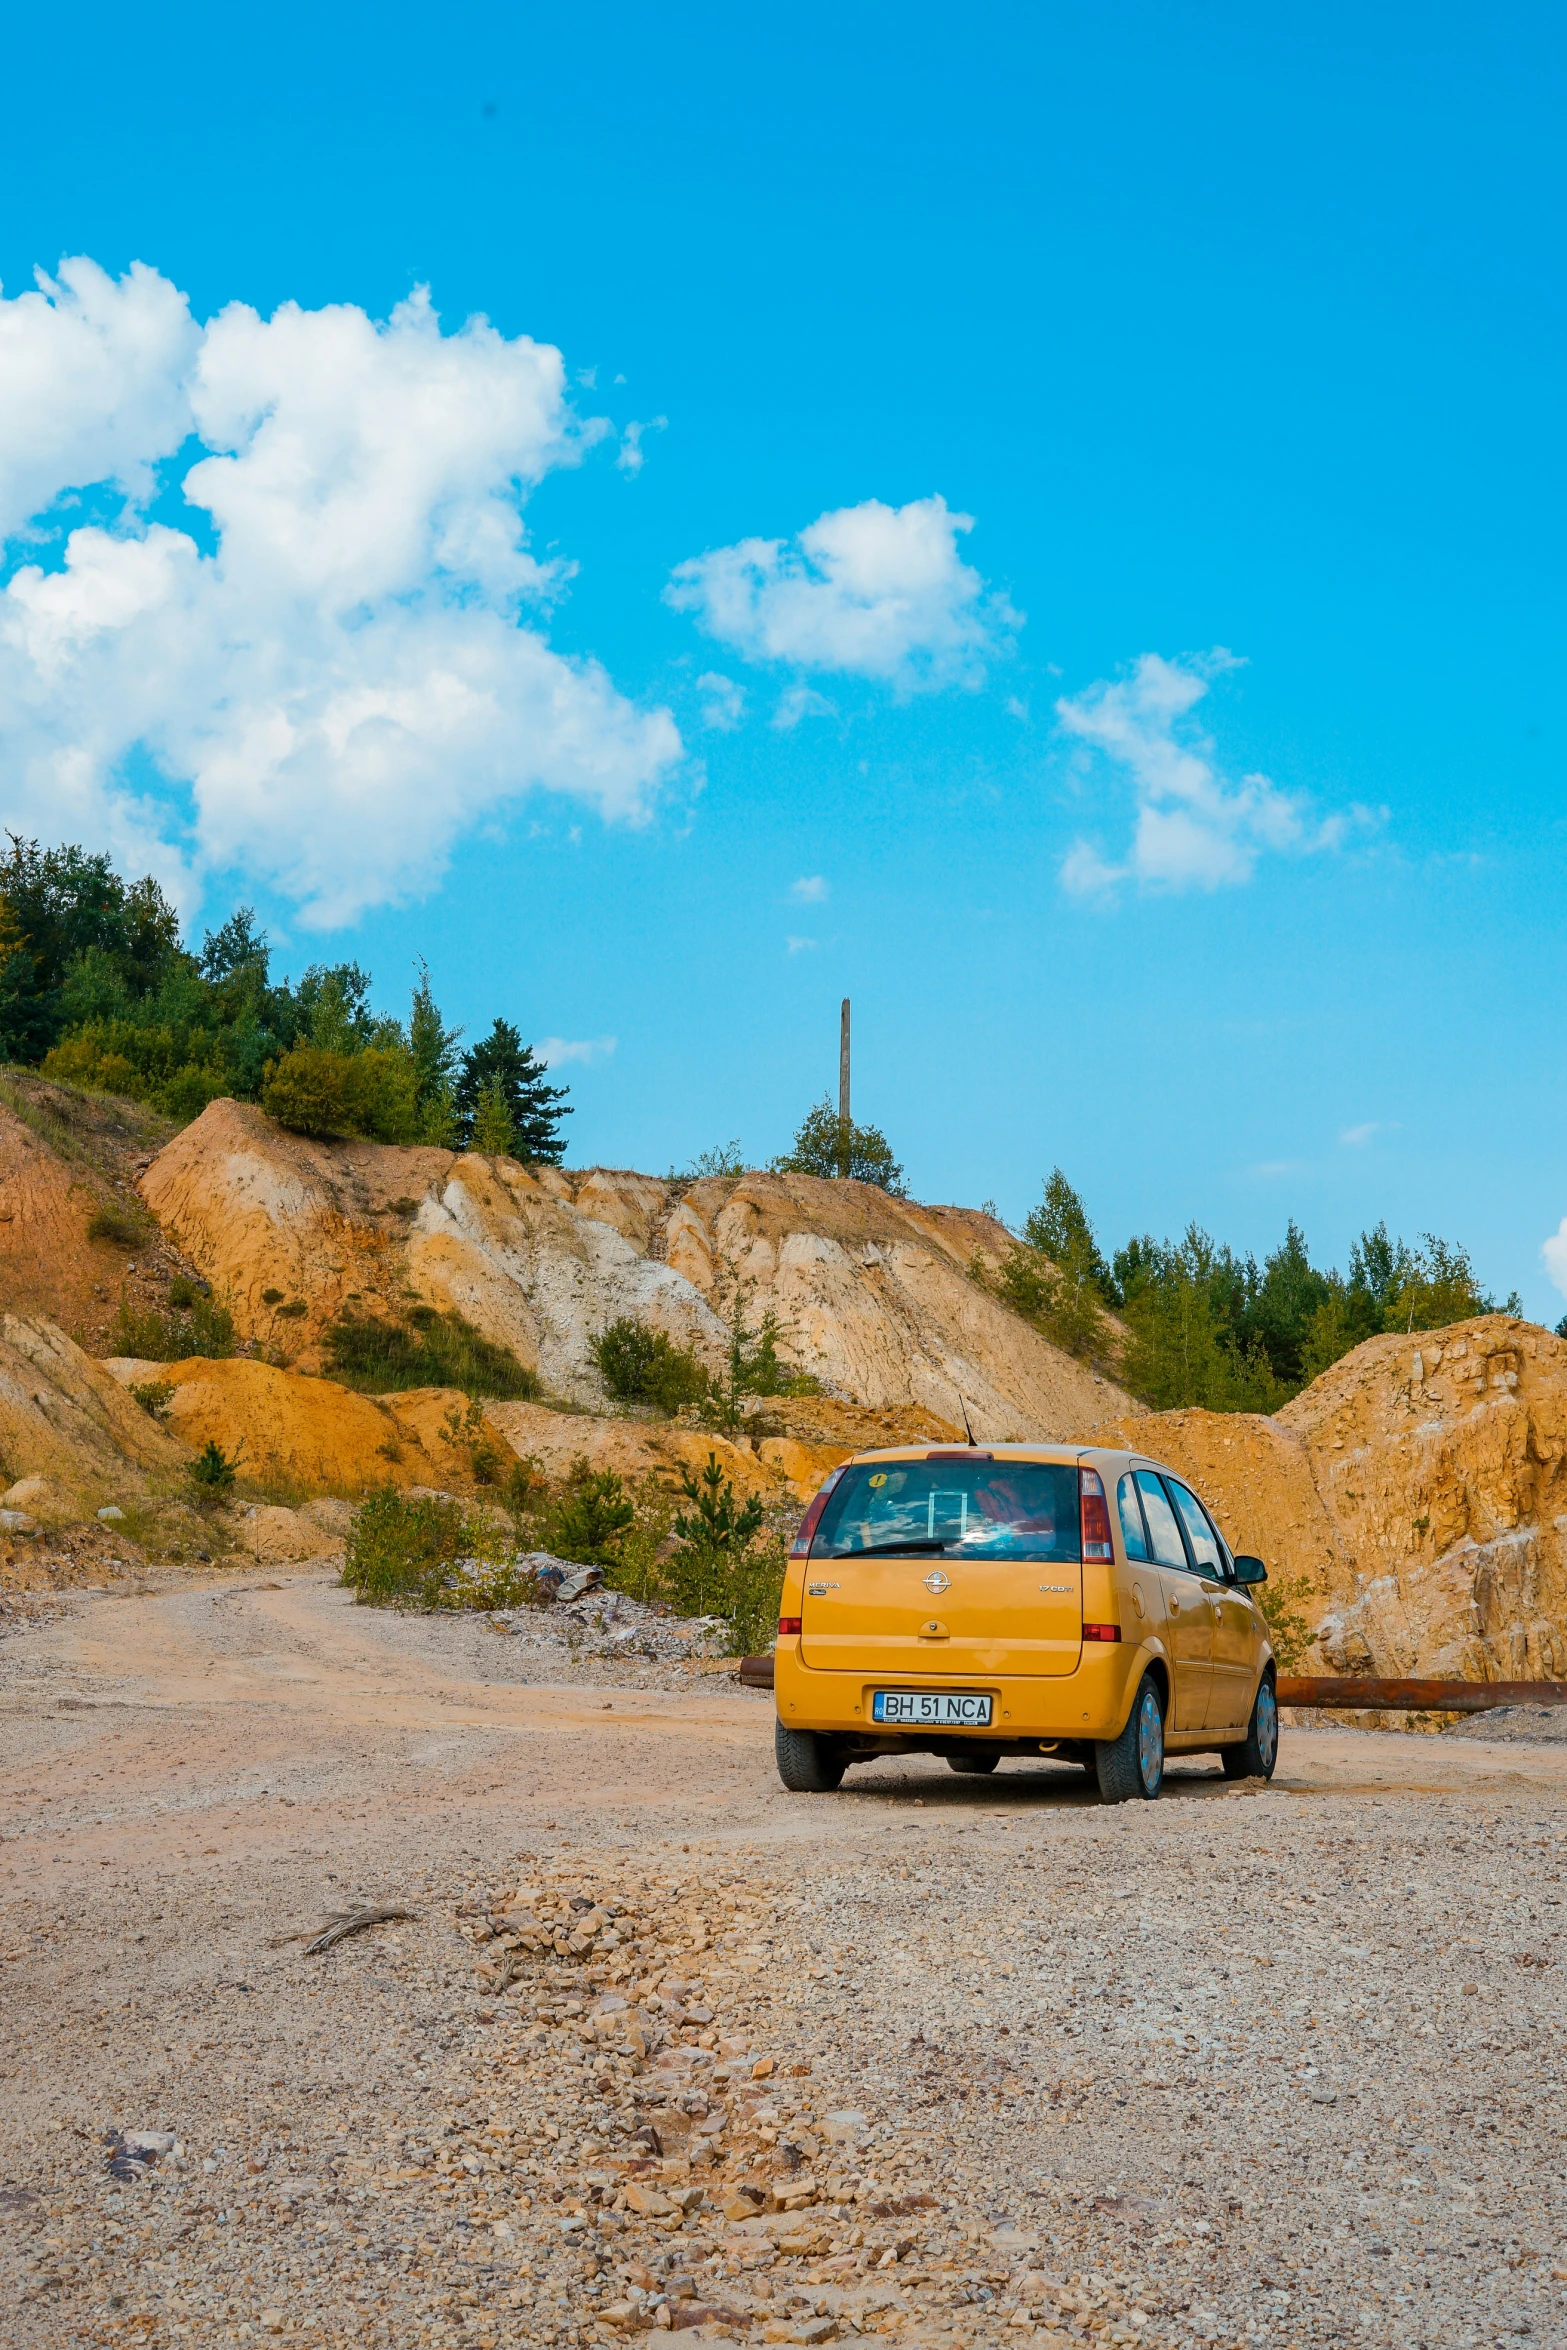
pixel 868 591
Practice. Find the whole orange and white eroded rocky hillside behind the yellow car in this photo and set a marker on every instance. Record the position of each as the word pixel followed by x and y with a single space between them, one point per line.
pixel 1415 1493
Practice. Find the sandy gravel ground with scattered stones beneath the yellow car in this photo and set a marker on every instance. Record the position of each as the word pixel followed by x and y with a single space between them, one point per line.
pixel 1242 2067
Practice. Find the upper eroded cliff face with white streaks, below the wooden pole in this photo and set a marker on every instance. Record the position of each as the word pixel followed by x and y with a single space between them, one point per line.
pixel 873 1296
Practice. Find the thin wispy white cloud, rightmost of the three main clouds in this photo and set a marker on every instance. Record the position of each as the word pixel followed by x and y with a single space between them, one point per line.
pixel 1192 828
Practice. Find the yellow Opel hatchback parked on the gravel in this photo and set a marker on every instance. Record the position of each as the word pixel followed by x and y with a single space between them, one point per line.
pixel 1021 1602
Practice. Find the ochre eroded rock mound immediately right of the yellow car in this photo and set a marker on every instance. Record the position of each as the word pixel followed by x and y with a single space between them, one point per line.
pixel 1420 1489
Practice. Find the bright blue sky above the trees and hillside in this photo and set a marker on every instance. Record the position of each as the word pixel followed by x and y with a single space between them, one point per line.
pixel 1228 335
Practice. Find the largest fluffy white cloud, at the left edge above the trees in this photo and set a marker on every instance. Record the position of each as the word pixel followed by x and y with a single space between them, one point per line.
pixel 349 669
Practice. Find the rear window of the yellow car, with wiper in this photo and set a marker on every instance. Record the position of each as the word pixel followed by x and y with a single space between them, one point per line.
pixel 955 1508
